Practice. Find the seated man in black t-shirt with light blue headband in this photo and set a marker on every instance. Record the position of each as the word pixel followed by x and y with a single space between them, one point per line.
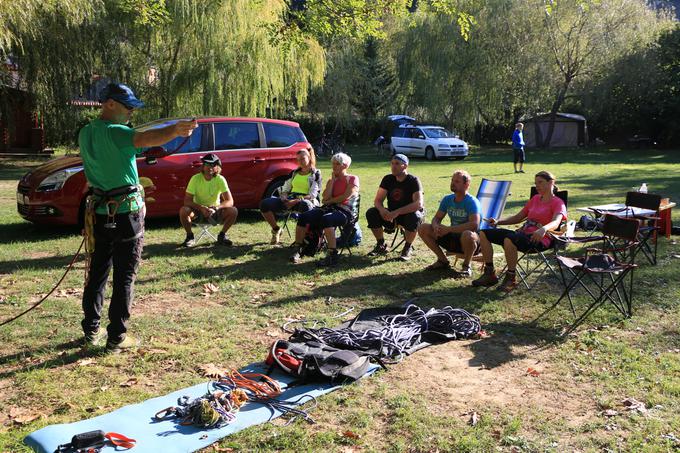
pixel 404 195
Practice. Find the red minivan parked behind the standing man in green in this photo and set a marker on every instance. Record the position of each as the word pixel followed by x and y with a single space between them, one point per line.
pixel 257 155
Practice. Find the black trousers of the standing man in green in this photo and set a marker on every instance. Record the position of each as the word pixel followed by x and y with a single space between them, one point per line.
pixel 120 248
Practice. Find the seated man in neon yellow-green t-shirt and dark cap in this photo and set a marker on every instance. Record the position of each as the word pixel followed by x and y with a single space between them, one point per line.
pixel 208 197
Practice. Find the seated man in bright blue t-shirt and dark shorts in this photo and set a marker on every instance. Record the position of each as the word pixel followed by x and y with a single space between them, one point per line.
pixel 464 211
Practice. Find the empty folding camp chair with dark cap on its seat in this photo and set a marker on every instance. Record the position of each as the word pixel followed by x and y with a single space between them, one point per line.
pixel 599 268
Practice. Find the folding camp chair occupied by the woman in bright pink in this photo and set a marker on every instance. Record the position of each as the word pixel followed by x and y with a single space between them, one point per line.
pixel 535 261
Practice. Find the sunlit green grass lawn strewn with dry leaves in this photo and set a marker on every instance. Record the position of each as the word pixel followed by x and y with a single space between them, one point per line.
pixel 573 401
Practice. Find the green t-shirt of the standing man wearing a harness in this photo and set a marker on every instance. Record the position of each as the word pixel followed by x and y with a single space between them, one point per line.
pixel 109 158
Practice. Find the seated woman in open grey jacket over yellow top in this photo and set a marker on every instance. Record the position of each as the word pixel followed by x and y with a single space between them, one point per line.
pixel 299 193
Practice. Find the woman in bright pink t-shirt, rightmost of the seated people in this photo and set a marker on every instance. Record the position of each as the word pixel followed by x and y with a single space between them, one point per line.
pixel 543 213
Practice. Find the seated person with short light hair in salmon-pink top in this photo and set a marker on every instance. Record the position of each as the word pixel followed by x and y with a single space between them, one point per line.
pixel 339 198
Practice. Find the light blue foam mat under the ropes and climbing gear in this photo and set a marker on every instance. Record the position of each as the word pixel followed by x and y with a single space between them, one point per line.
pixel 168 436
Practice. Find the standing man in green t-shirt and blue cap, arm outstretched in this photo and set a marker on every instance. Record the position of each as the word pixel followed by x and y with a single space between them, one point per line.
pixel 109 149
